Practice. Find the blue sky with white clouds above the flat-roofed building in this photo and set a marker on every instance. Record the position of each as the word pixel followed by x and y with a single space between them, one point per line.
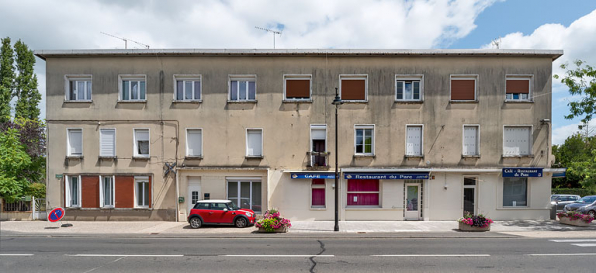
pixel 380 24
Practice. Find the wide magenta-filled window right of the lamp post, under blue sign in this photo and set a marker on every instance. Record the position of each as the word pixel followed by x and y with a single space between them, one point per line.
pixel 363 192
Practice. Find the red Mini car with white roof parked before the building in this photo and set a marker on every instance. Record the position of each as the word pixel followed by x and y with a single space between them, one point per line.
pixel 220 212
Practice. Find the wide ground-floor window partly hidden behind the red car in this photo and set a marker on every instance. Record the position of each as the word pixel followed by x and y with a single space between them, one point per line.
pixel 246 193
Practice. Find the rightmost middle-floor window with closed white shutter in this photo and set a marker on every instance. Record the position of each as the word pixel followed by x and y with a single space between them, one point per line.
pixel 517 140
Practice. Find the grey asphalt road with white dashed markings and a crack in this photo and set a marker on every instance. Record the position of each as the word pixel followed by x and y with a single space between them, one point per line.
pixel 147 254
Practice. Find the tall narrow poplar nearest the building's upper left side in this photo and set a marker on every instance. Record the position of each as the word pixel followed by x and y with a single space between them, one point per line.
pixel 26 84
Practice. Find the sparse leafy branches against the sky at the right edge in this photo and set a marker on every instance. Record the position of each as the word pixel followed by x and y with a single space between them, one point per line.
pixel 581 82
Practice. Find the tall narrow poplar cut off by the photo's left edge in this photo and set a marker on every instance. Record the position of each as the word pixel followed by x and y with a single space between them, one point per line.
pixel 7 75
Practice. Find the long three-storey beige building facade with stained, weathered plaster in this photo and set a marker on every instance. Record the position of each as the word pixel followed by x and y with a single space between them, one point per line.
pixel 422 134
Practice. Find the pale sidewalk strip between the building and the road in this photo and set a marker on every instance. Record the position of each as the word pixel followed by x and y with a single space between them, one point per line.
pixel 408 229
